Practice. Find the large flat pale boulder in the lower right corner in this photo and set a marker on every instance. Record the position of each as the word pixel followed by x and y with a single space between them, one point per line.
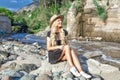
pixel 106 71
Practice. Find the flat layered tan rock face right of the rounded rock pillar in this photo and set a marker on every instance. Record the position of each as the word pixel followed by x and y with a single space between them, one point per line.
pixel 94 27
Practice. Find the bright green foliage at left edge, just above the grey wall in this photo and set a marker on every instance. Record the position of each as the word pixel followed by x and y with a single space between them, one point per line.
pixel 8 13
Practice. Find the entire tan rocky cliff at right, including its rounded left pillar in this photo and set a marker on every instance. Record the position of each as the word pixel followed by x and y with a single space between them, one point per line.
pixel 90 25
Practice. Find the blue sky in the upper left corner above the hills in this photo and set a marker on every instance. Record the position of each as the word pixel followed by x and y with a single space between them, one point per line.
pixel 14 5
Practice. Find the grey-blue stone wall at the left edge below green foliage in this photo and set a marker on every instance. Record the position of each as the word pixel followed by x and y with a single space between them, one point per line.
pixel 5 24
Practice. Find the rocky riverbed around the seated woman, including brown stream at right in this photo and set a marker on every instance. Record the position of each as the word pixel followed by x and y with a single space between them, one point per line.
pixel 20 61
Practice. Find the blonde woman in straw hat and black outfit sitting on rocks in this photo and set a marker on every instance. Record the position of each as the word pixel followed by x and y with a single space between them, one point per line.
pixel 59 49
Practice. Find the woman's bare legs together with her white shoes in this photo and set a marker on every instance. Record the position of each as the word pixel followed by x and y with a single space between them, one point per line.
pixel 73 60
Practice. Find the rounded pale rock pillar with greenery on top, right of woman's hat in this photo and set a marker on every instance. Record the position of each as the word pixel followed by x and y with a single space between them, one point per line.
pixel 74 19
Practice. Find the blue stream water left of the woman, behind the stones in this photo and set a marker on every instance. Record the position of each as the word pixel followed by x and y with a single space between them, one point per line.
pixel 27 39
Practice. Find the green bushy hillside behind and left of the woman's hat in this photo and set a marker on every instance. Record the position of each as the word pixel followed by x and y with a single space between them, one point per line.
pixel 38 19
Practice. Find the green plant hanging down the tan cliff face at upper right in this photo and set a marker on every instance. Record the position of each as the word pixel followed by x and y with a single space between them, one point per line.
pixel 102 13
